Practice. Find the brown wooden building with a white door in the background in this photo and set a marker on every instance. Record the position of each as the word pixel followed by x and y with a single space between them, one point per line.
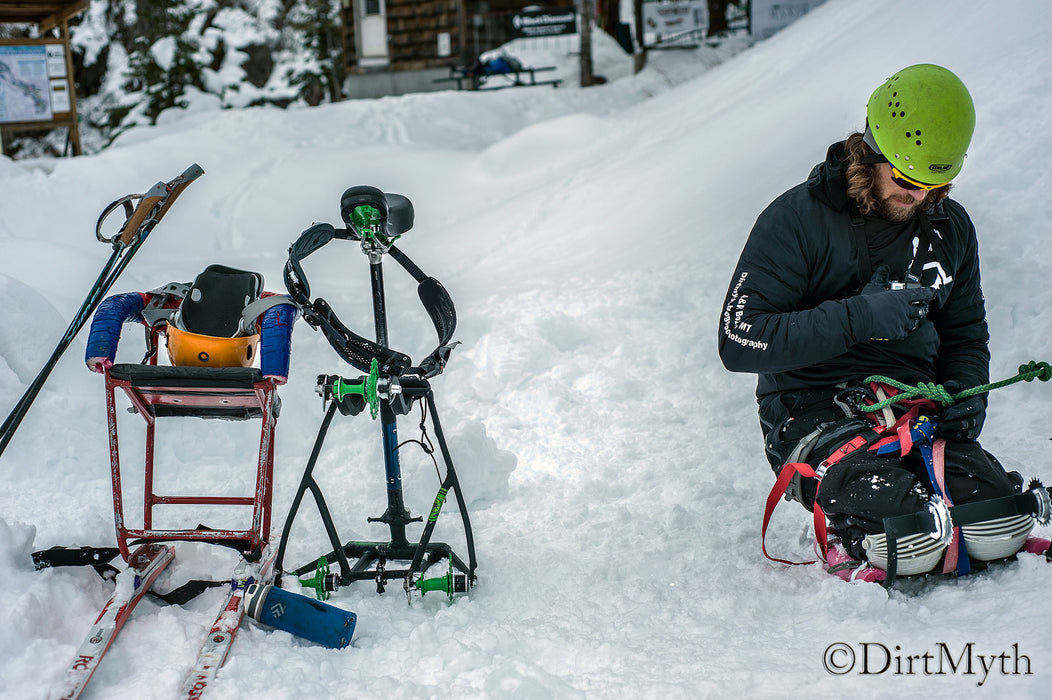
pixel 395 47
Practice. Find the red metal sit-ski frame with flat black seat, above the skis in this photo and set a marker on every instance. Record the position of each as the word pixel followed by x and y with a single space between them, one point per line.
pixel 158 391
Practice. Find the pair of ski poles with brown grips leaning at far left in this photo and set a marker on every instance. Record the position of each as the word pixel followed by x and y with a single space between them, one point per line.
pixel 139 223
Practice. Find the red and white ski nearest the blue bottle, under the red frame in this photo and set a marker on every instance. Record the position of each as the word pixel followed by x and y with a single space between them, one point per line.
pixel 217 644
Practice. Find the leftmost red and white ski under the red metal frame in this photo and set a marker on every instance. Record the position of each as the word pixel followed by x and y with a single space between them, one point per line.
pixel 148 563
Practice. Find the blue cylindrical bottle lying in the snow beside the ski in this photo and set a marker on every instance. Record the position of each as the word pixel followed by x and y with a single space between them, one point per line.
pixel 305 617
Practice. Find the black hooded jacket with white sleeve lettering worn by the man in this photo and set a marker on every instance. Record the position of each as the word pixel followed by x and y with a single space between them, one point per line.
pixel 793 313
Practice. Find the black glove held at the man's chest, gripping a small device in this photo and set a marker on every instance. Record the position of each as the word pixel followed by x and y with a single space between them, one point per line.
pixel 886 314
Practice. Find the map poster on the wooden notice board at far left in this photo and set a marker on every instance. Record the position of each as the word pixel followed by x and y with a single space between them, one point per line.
pixel 35 85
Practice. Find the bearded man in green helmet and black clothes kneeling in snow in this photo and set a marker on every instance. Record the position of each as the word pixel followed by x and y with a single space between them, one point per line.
pixel 868 269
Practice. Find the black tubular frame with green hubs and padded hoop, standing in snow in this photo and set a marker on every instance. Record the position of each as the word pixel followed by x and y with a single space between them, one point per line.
pixel 391 387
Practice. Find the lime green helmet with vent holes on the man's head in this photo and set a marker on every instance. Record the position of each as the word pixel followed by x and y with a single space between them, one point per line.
pixel 922 121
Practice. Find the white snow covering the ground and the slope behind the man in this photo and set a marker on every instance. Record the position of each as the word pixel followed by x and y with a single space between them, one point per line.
pixel 614 470
